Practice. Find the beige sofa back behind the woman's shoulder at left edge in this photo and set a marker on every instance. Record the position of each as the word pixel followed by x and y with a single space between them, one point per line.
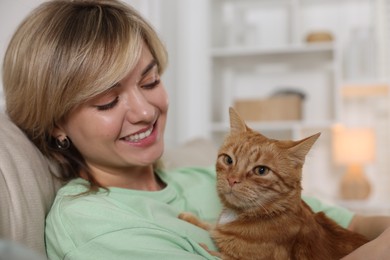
pixel 27 187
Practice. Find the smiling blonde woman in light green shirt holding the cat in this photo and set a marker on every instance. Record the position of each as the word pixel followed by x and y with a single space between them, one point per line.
pixel 82 80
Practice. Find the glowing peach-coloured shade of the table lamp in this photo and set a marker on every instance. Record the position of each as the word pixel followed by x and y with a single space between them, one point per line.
pixel 353 145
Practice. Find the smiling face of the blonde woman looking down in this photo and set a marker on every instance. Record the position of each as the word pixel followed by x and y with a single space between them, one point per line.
pixel 125 126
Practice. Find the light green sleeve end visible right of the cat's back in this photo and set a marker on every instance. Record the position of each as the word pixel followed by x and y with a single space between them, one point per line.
pixel 341 215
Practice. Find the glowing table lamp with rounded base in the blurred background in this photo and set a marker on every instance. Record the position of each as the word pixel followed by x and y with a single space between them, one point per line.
pixel 354 148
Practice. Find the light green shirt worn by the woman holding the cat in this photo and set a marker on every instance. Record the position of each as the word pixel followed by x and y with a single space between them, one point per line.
pixel 132 224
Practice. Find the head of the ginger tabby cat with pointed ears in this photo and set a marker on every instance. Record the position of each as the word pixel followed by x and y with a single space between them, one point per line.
pixel 254 171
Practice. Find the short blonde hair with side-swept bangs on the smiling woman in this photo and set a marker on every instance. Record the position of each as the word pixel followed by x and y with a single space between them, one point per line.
pixel 66 52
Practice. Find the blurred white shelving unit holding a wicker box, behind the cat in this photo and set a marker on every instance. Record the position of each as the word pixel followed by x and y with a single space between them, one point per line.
pixel 258 48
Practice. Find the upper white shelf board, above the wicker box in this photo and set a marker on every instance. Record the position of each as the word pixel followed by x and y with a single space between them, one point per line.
pixel 314 48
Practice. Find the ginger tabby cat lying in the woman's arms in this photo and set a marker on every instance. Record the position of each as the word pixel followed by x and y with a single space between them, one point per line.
pixel 264 217
